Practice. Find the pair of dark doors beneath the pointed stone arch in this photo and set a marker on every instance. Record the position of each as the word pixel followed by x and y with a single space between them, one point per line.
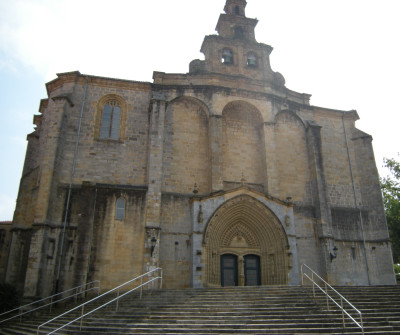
pixel 232 269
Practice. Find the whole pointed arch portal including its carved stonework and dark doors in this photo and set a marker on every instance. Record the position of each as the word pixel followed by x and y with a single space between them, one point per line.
pixel 245 244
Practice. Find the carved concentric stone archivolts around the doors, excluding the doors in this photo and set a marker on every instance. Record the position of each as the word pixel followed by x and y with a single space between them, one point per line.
pixel 247 218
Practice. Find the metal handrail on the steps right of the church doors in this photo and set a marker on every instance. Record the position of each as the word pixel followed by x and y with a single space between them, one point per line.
pixel 328 297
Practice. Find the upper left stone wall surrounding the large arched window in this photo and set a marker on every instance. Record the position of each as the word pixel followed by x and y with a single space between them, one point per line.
pixel 108 161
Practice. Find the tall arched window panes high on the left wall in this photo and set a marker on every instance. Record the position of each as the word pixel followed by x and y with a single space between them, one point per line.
pixel 110 121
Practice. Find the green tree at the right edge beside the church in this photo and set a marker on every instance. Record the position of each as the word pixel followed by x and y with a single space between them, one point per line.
pixel 391 199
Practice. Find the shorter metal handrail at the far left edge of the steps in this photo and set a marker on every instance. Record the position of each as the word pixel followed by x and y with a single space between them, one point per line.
pixel 52 302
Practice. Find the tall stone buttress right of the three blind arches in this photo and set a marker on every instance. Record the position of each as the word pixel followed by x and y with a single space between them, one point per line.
pixel 322 210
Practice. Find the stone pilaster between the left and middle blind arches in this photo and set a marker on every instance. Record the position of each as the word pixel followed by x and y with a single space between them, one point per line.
pixel 216 153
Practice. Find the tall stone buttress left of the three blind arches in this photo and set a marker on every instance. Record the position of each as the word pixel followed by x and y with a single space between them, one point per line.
pixel 154 175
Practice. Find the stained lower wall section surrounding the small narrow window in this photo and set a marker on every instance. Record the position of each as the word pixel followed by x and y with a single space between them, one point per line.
pixel 117 247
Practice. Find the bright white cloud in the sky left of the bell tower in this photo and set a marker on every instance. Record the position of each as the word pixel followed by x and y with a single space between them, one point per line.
pixel 125 40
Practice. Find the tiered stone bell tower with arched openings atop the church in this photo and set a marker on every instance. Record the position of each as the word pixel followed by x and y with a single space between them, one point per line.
pixel 234 51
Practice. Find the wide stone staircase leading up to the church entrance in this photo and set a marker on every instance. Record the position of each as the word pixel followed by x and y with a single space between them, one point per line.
pixel 235 310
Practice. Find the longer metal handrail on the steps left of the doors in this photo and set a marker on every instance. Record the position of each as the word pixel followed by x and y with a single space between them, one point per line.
pixel 107 303
